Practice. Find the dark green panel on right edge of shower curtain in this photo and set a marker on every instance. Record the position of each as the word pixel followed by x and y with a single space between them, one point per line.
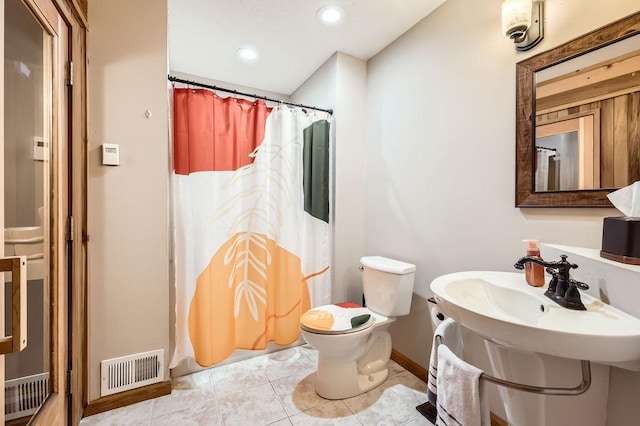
pixel 316 169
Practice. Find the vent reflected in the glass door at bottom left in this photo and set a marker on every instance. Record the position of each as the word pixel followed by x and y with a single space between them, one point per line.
pixel 24 395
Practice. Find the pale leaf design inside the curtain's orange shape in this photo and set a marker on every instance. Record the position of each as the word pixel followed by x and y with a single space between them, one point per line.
pixel 242 254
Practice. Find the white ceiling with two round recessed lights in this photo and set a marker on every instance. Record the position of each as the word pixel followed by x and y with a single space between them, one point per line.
pixel 204 36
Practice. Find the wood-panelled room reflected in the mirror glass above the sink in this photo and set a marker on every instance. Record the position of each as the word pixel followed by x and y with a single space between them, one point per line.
pixel 594 94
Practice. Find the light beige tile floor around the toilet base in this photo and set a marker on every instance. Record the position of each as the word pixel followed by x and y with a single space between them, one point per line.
pixel 275 389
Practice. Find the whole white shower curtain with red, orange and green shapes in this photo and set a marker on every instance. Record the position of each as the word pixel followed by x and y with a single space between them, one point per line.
pixel 251 222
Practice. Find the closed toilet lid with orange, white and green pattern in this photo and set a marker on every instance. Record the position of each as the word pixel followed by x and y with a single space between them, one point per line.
pixel 334 319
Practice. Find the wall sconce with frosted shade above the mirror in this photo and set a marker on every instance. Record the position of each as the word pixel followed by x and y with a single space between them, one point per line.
pixel 522 21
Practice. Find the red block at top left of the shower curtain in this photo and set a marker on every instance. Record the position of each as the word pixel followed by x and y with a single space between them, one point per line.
pixel 211 133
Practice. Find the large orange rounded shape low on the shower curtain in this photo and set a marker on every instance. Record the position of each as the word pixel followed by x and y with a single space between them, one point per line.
pixel 242 304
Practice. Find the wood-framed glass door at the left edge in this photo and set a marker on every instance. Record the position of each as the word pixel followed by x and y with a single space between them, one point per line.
pixel 35 194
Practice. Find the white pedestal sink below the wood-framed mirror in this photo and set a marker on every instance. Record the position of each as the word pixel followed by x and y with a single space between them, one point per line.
pixel 502 308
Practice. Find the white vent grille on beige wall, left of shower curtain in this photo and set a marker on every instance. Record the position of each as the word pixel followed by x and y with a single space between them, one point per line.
pixel 130 372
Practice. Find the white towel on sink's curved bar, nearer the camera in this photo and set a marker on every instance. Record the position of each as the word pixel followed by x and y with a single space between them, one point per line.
pixel 459 394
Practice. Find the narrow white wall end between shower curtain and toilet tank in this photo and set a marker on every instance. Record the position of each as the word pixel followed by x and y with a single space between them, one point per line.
pixel 340 84
